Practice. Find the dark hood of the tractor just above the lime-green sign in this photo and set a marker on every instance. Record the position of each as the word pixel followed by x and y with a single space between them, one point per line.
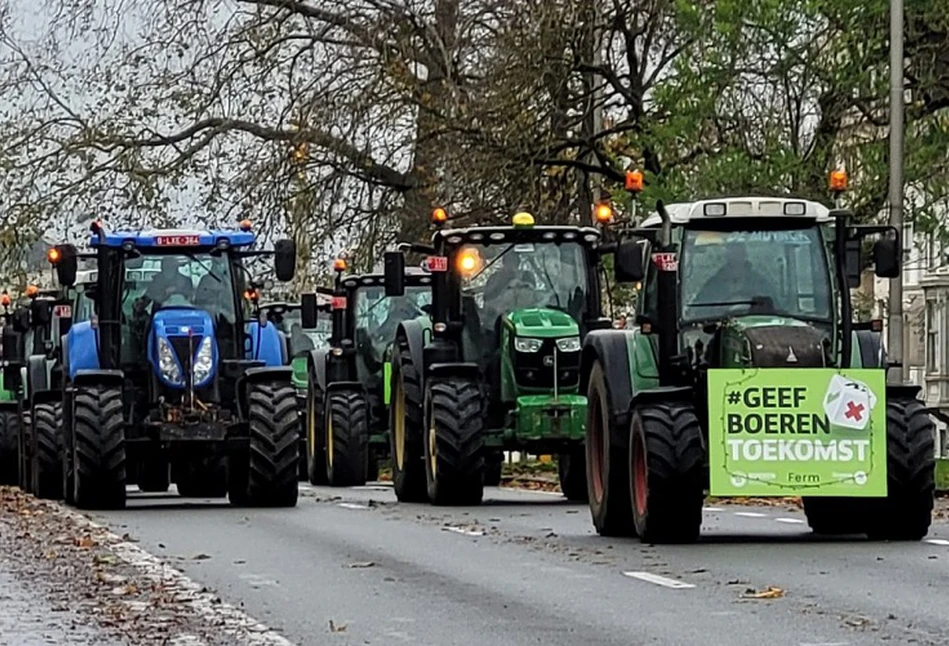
pixel 770 341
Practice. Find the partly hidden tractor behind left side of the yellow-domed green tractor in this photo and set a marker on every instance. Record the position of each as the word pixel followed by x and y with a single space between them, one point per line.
pixel 347 387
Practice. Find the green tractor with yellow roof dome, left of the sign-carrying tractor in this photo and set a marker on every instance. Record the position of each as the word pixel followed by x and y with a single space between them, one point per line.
pixel 498 366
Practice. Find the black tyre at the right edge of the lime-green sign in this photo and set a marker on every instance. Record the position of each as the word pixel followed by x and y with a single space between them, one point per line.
pixel 906 512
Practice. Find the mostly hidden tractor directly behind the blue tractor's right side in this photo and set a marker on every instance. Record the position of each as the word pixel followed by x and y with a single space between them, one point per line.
pixel 287 317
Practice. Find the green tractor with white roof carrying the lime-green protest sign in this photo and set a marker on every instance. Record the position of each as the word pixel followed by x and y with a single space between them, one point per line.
pixel 746 376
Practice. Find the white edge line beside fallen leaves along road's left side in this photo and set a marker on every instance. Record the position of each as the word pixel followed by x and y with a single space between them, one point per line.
pixel 219 616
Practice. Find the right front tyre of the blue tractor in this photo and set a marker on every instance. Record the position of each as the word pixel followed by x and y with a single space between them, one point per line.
pixel 274 451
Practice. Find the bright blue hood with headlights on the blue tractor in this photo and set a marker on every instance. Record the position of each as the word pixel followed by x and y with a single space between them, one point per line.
pixel 182 343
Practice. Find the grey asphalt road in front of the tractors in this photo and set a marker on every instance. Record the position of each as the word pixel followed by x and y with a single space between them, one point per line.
pixel 352 566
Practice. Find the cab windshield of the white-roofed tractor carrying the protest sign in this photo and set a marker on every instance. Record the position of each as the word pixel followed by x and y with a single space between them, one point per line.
pixel 729 273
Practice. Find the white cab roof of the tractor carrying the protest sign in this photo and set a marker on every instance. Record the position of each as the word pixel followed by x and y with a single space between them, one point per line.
pixel 741 207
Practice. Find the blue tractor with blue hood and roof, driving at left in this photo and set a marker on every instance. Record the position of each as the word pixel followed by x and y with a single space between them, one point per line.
pixel 173 375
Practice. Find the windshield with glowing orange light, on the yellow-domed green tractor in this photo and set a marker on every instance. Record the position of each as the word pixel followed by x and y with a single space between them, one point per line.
pixel 501 278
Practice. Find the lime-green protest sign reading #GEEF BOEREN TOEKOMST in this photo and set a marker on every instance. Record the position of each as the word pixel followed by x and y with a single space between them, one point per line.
pixel 807 431
